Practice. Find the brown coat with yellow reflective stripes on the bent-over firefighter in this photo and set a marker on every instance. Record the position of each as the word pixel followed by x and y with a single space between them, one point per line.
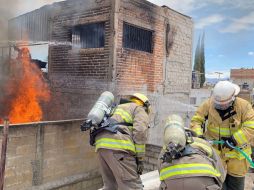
pixel 205 163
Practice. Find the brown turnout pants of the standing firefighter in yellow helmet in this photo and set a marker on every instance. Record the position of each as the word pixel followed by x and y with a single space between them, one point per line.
pixel 119 170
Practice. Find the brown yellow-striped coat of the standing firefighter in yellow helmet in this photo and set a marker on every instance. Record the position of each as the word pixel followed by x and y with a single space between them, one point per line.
pixel 134 137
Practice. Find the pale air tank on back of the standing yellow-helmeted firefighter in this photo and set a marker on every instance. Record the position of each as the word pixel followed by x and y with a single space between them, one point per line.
pixel 101 106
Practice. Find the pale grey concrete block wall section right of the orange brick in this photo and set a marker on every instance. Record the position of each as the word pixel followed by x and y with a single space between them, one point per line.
pixel 178 62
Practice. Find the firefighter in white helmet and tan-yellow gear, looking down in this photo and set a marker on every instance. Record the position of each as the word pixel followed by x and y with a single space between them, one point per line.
pixel 231 119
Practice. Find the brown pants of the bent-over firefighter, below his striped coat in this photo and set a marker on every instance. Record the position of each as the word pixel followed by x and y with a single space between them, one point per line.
pixel 190 183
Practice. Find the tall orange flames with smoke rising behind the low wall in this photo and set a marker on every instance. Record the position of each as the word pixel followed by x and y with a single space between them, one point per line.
pixel 23 89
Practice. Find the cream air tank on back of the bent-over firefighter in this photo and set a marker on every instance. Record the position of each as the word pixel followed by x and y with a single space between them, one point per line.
pixel 174 131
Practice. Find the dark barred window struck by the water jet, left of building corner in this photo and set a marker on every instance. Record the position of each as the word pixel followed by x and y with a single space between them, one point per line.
pixel 89 35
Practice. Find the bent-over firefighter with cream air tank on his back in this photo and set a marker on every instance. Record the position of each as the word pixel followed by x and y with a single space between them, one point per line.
pixel 187 162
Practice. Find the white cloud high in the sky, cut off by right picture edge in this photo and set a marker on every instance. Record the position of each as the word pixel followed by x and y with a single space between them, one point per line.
pixel 243 23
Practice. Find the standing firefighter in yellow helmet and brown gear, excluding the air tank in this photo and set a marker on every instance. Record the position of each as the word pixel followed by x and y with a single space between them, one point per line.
pixel 121 154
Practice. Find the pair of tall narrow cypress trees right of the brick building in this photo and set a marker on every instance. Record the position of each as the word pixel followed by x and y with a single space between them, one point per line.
pixel 199 61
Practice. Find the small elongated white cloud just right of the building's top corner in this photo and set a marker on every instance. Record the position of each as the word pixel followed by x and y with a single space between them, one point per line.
pixel 212 19
